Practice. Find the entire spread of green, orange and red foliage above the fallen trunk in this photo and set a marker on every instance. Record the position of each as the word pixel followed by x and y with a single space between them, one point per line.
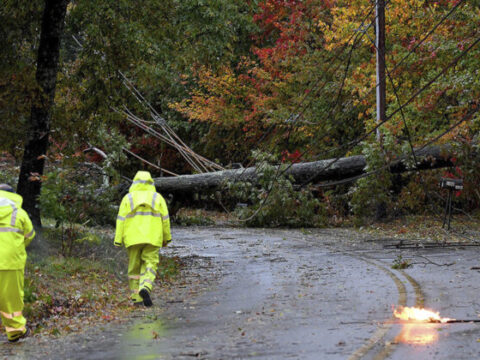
pixel 292 78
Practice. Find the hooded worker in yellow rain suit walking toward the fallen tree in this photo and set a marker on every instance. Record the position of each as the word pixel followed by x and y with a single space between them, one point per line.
pixel 143 226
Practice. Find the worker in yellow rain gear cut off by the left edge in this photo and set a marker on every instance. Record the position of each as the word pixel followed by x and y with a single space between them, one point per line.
pixel 16 232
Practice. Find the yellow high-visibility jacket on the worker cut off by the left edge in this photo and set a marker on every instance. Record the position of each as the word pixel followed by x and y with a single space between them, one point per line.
pixel 16 232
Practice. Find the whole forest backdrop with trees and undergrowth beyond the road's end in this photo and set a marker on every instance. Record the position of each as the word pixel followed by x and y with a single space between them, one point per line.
pixel 252 82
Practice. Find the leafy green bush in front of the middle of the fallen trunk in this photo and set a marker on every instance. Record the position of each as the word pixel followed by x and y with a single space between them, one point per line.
pixel 273 200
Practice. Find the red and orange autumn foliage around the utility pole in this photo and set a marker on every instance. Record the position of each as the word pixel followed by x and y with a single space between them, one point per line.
pixel 294 79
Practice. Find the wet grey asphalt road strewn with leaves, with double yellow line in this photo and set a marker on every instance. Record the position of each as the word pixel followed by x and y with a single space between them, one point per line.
pixel 290 294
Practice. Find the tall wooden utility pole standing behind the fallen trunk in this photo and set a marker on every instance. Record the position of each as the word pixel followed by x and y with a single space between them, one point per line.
pixel 381 82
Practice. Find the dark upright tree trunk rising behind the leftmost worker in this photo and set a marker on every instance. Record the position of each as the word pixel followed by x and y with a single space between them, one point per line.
pixel 33 162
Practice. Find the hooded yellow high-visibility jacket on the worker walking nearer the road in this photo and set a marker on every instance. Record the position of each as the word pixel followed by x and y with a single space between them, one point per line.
pixel 143 215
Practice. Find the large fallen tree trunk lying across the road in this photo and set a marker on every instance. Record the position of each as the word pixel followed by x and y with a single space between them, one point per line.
pixel 312 172
